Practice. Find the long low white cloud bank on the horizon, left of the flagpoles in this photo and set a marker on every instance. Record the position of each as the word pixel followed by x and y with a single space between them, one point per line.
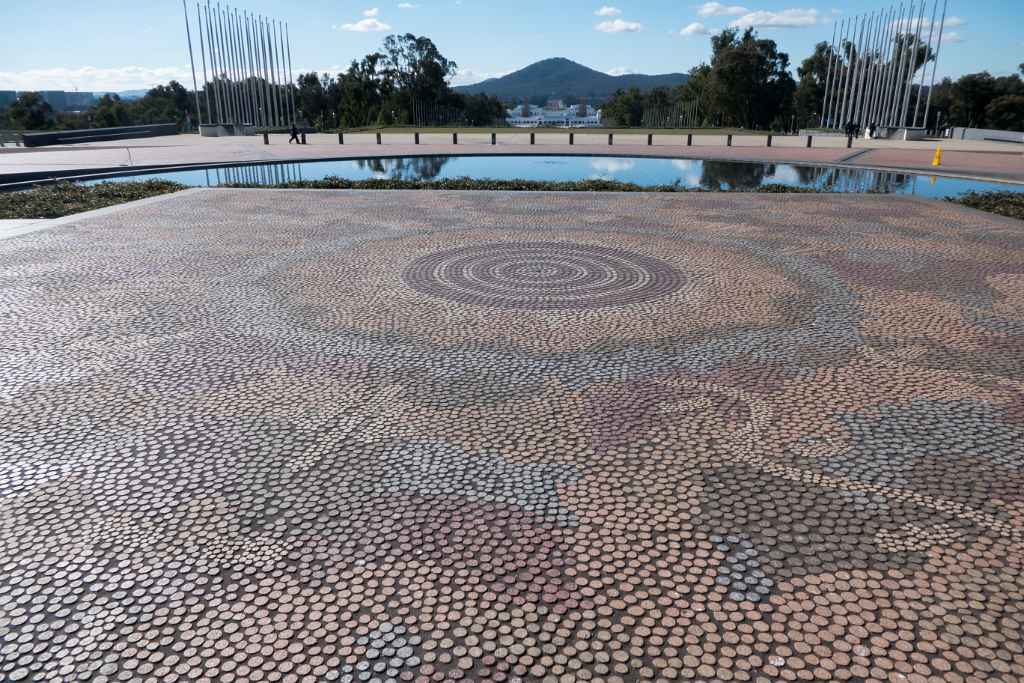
pixel 94 79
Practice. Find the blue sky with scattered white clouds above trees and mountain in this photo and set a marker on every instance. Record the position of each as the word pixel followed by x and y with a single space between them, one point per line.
pixel 113 45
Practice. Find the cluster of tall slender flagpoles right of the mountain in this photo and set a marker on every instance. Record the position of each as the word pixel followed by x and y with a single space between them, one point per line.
pixel 879 65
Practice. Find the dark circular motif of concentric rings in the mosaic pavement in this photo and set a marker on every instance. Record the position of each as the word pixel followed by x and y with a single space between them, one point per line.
pixel 542 276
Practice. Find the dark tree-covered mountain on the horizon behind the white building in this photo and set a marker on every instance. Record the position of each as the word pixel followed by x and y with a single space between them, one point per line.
pixel 564 78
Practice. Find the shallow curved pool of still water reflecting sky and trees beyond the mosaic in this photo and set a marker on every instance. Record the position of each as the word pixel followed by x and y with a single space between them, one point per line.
pixel 709 175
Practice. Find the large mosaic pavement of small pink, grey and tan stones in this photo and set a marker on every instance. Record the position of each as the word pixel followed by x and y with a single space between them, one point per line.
pixel 329 437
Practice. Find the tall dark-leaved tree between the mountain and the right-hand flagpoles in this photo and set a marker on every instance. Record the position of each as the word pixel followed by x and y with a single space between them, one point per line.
pixel 749 84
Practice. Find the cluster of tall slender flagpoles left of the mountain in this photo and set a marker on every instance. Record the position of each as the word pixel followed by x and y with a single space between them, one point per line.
pixel 249 84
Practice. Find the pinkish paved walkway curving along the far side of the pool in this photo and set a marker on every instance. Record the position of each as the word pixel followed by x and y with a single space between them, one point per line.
pixel 988 160
